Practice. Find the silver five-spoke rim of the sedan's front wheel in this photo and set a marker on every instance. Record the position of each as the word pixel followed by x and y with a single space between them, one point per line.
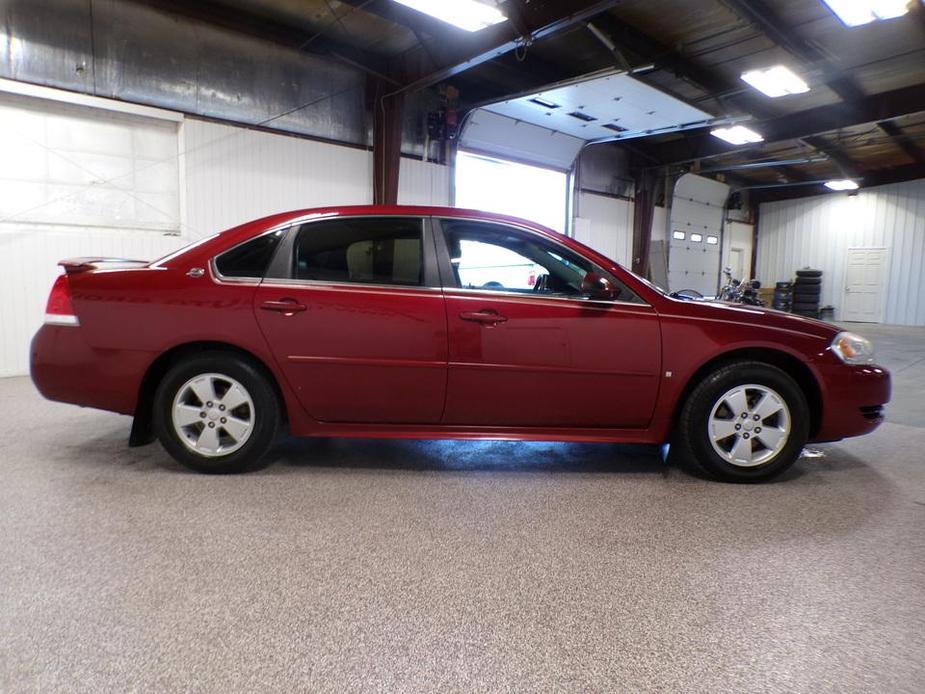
pixel 749 425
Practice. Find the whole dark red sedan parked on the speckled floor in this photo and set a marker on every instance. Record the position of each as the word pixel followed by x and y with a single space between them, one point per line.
pixel 420 322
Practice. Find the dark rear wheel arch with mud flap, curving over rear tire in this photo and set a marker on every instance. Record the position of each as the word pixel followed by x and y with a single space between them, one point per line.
pixel 142 432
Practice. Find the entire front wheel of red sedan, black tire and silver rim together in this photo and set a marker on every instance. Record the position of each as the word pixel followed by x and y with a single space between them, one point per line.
pixel 742 456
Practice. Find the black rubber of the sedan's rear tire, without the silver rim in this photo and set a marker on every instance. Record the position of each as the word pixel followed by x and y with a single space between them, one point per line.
pixel 264 416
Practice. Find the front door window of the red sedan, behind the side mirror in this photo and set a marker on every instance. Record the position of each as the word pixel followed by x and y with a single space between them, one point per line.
pixel 499 258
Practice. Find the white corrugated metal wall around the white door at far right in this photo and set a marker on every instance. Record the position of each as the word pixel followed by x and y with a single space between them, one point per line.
pixel 818 231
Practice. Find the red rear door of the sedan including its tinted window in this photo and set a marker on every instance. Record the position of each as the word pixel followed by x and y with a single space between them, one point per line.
pixel 354 314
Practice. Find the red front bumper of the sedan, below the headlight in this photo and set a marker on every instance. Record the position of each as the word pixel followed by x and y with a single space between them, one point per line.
pixel 853 401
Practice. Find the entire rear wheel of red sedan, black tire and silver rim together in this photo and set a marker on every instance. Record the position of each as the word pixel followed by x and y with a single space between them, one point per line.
pixel 245 424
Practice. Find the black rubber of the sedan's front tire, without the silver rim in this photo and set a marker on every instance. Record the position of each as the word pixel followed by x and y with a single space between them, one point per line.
pixel 692 446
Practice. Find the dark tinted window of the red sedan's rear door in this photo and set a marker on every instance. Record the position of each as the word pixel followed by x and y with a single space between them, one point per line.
pixel 364 250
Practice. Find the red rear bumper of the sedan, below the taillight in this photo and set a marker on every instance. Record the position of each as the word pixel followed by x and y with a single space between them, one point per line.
pixel 67 369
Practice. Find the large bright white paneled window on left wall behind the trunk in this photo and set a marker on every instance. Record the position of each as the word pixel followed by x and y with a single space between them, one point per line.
pixel 80 166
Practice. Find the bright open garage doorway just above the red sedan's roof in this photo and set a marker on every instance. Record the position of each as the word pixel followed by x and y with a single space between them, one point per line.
pixel 495 185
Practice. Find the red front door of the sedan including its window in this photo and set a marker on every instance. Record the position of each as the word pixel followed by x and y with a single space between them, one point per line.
pixel 527 349
